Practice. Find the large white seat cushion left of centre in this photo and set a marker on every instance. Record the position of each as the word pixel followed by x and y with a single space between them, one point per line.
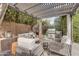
pixel 26 42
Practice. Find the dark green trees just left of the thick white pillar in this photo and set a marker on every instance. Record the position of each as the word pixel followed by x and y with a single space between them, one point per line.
pixel 61 24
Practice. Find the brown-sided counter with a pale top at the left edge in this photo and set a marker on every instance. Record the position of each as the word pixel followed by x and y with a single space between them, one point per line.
pixel 5 45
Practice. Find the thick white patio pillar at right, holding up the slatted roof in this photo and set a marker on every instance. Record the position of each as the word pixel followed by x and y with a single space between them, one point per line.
pixel 69 32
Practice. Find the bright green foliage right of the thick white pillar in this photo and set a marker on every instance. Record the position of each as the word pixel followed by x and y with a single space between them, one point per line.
pixel 76 26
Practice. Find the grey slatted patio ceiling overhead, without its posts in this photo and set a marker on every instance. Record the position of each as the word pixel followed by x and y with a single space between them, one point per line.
pixel 45 10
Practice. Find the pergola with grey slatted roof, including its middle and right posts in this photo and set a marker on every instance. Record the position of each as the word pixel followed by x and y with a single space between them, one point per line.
pixel 46 10
